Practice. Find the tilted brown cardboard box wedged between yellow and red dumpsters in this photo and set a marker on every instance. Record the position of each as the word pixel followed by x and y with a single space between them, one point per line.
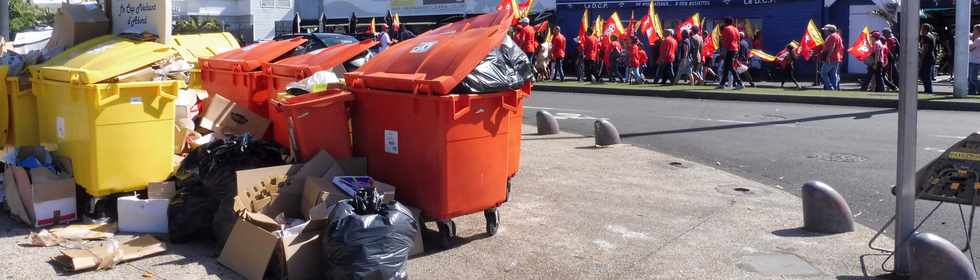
pixel 224 117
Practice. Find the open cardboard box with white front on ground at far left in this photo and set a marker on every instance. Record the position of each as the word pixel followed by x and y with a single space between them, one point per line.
pixel 39 197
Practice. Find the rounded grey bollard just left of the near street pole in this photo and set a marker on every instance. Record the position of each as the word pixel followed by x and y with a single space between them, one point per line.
pixel 824 209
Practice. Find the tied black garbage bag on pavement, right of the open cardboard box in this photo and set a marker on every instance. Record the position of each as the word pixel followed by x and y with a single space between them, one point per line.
pixel 368 240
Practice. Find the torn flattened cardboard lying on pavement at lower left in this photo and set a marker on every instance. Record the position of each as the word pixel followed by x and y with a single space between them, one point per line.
pixel 100 257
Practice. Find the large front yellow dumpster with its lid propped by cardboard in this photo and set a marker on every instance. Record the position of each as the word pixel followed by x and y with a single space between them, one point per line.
pixel 119 136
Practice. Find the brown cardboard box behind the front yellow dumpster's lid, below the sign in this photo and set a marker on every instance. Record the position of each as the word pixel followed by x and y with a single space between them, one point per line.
pixel 77 23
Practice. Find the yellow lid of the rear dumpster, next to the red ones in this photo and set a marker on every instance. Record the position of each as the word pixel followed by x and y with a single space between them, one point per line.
pixel 194 46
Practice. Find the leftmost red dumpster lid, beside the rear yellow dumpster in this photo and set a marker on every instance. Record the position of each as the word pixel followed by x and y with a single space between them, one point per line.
pixel 253 56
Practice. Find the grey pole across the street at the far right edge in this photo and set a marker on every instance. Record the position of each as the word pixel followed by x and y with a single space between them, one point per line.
pixel 961 52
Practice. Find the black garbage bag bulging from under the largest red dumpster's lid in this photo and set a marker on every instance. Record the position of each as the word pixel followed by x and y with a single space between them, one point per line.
pixel 505 67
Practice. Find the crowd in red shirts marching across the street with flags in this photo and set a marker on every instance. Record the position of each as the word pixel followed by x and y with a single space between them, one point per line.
pixel 678 59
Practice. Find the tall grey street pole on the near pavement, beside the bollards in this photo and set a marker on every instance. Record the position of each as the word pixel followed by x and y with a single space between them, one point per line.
pixel 907 118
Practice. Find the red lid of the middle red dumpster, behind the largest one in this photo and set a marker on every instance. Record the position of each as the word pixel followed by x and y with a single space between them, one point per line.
pixel 302 66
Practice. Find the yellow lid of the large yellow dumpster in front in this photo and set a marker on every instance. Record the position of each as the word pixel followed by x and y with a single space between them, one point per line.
pixel 103 58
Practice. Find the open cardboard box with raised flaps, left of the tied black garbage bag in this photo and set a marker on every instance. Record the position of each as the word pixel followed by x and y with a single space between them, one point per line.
pixel 254 247
